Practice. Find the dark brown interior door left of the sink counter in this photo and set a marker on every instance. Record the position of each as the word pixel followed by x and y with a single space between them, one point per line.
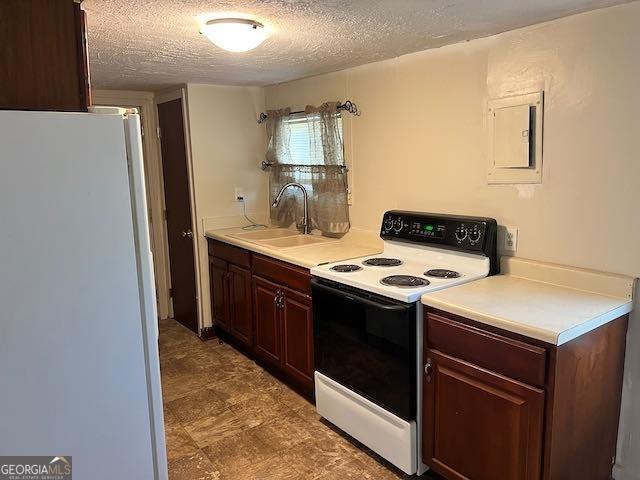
pixel 178 208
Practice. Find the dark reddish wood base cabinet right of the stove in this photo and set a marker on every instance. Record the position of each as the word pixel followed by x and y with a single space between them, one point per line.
pixel 501 406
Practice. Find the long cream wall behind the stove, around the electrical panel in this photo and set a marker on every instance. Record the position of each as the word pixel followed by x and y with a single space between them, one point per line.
pixel 421 144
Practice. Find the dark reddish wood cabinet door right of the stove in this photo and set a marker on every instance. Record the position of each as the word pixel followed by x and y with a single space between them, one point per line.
pixel 480 425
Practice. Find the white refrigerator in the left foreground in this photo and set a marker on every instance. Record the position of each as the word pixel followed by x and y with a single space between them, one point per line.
pixel 79 367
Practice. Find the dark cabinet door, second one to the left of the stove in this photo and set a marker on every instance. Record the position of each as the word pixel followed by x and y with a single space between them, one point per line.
pixel 267 320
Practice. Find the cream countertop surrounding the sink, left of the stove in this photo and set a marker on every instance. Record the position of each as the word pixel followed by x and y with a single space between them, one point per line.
pixel 356 243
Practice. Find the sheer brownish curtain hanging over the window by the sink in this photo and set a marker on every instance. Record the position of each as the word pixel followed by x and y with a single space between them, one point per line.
pixel 326 184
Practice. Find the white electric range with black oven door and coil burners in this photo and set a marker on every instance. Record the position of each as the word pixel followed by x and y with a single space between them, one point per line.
pixel 369 330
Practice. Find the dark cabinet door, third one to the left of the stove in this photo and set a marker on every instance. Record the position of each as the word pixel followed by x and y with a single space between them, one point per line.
pixel 240 318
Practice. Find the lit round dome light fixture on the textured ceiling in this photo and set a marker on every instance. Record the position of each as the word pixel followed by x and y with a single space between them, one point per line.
pixel 235 34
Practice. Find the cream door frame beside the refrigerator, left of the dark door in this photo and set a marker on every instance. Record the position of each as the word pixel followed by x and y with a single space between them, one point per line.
pixel 145 101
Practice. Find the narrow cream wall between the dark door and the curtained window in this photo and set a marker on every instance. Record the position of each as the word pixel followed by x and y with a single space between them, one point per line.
pixel 227 146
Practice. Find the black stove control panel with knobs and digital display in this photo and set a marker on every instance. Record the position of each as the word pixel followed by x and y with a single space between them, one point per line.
pixel 472 234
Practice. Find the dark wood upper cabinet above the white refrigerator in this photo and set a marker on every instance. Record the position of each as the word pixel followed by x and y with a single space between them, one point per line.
pixel 43 56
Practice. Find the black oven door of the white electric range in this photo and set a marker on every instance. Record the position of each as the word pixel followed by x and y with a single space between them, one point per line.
pixel 366 343
